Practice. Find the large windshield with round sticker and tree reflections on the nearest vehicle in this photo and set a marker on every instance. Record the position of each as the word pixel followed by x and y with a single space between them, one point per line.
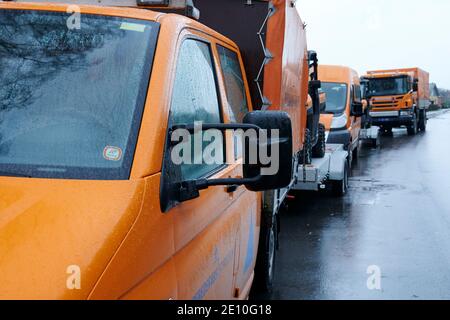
pixel 72 95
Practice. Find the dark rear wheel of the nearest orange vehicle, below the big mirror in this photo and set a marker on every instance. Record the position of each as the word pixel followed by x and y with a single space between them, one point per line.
pixel 267 251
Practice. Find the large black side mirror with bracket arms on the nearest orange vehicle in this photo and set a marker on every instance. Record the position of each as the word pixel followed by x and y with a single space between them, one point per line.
pixel 267 158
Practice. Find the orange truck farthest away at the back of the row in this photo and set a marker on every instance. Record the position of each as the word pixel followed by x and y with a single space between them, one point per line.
pixel 398 98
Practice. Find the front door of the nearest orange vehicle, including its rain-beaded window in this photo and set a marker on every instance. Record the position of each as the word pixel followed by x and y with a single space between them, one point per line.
pixel 207 229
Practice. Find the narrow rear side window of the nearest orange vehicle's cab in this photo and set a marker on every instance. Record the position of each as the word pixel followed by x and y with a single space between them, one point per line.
pixel 234 83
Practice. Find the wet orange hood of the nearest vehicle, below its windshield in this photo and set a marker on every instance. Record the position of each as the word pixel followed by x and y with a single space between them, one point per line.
pixel 46 226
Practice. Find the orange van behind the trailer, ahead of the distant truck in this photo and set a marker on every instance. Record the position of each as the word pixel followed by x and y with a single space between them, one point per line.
pixel 344 107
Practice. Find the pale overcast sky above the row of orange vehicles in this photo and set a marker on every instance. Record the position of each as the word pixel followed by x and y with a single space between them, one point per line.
pixel 374 34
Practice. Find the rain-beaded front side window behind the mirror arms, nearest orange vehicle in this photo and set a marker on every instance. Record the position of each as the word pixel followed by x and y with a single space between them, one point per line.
pixel 195 99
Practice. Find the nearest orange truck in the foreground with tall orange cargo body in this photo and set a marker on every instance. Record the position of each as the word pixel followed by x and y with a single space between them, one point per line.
pixel 95 204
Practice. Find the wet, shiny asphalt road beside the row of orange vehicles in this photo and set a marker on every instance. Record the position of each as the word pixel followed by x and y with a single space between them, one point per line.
pixel 396 217
